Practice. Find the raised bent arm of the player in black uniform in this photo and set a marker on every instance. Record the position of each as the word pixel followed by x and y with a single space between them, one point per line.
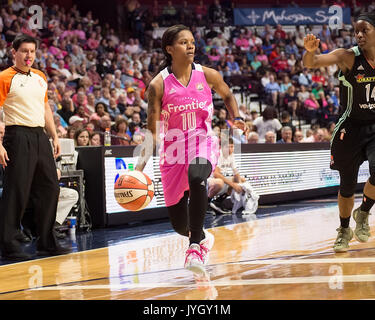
pixel 343 58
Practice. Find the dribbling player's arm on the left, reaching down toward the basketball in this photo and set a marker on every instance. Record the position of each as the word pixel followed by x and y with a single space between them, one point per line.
pixel 154 96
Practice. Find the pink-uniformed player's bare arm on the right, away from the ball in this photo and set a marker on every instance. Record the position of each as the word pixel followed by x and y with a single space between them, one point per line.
pixel 216 82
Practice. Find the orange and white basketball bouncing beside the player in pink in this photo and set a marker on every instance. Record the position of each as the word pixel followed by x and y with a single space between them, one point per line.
pixel 134 190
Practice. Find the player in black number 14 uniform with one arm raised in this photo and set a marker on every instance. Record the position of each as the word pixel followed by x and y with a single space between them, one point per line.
pixel 353 140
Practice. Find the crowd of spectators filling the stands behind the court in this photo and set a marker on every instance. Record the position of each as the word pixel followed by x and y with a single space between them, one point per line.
pixel 98 79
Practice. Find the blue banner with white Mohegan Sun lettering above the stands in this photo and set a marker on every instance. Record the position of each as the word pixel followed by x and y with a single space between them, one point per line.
pixel 333 16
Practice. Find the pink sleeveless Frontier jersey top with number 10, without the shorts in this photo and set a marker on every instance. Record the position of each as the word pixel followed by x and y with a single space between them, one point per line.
pixel 186 116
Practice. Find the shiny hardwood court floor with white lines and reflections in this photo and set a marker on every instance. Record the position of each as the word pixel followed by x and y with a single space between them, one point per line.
pixel 286 256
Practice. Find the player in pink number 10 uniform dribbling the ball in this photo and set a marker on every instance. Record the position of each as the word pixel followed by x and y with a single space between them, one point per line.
pixel 180 110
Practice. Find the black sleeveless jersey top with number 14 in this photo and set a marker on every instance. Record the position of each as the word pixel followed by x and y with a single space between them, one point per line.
pixel 357 90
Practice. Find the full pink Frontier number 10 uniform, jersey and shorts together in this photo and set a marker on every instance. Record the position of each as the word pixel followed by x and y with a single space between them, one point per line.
pixel 185 130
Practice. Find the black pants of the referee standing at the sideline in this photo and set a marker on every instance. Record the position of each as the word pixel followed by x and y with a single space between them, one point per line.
pixel 30 174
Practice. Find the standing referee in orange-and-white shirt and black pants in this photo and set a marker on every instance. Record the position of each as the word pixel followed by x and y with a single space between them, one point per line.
pixel 26 153
